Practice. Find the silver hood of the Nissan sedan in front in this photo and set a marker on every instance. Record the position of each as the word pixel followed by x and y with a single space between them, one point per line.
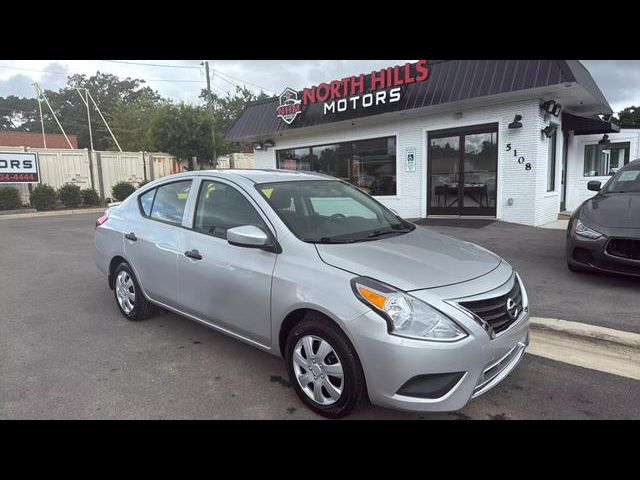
pixel 416 260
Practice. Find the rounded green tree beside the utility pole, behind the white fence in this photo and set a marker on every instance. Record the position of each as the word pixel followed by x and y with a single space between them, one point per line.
pixel 182 130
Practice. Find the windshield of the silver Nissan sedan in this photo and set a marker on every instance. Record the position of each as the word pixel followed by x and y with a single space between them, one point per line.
pixel 331 211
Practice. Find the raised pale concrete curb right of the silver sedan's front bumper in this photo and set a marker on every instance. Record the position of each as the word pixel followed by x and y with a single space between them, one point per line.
pixel 587 332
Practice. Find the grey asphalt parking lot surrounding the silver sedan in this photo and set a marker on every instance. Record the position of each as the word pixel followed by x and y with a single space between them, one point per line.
pixel 66 352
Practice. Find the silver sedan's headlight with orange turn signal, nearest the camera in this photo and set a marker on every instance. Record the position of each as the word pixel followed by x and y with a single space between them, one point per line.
pixel 406 316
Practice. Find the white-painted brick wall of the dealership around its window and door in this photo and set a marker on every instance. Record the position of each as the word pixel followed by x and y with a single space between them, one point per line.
pixel 532 204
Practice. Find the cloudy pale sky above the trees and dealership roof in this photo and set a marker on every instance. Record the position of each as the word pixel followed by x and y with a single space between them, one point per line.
pixel 619 80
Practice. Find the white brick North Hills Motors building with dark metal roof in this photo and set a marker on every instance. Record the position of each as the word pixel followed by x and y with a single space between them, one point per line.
pixel 515 140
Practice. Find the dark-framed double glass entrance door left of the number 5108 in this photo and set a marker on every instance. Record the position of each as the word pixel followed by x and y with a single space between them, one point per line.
pixel 463 171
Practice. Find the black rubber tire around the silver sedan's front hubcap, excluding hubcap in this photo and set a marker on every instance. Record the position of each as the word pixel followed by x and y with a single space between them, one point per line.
pixel 353 388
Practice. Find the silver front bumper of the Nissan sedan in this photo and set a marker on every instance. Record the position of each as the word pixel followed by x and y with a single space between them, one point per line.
pixel 475 364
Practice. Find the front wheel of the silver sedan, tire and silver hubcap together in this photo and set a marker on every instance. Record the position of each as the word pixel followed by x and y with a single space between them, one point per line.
pixel 323 367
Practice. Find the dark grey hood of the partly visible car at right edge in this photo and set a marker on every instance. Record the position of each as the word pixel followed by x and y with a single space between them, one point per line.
pixel 615 210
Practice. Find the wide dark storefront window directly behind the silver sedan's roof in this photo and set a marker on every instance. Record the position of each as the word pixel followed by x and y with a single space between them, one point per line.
pixel 368 164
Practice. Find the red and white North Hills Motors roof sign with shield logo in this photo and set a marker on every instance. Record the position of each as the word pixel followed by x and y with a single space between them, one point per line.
pixel 353 93
